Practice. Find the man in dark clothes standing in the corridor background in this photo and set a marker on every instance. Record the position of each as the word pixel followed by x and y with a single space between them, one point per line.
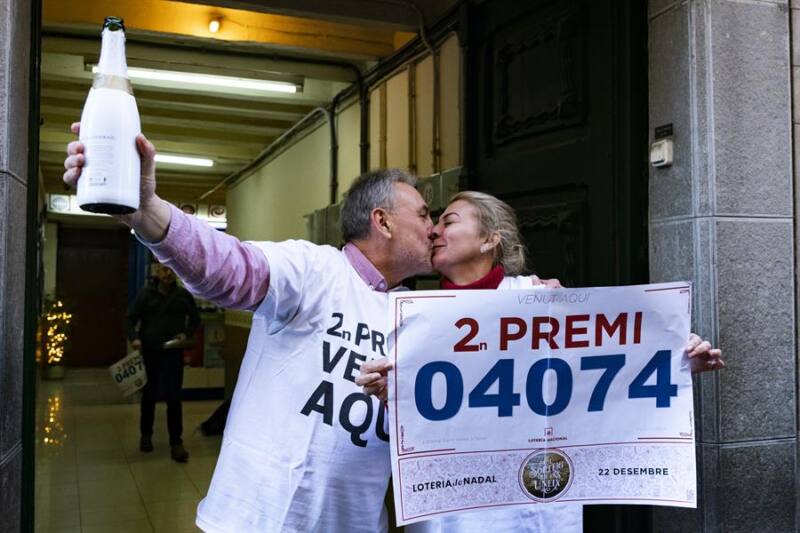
pixel 160 321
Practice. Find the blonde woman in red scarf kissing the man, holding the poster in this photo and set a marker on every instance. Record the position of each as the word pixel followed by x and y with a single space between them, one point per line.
pixel 477 246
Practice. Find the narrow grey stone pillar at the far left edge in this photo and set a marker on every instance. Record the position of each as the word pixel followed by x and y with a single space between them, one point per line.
pixel 14 179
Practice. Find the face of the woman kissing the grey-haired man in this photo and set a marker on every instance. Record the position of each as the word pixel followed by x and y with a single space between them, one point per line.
pixel 457 237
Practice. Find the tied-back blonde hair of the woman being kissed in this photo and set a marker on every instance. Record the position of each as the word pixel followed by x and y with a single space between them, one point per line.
pixel 496 216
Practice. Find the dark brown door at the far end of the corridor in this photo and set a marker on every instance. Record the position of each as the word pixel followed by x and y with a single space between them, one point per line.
pixel 92 280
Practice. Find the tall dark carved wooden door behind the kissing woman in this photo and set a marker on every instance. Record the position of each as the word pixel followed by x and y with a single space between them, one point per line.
pixel 556 125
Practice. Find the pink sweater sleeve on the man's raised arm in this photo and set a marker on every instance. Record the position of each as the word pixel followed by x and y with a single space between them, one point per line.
pixel 213 265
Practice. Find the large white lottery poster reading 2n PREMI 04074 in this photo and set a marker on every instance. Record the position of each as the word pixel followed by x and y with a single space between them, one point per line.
pixel 508 398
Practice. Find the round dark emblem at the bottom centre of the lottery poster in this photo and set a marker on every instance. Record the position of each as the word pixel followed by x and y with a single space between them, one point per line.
pixel 545 475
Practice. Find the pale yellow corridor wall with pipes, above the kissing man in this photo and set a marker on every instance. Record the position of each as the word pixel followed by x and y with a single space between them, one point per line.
pixel 271 203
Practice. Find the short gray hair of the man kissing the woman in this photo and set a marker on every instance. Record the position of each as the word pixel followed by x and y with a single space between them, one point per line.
pixel 369 191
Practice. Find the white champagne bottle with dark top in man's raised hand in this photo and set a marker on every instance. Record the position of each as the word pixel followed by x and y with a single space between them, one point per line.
pixel 109 181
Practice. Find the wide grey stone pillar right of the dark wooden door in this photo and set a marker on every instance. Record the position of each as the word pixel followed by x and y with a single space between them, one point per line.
pixel 722 216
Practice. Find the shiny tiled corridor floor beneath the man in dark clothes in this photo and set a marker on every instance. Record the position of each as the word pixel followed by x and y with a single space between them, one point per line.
pixel 90 474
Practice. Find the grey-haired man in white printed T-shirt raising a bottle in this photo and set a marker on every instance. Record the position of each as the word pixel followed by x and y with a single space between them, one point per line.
pixel 304 448
